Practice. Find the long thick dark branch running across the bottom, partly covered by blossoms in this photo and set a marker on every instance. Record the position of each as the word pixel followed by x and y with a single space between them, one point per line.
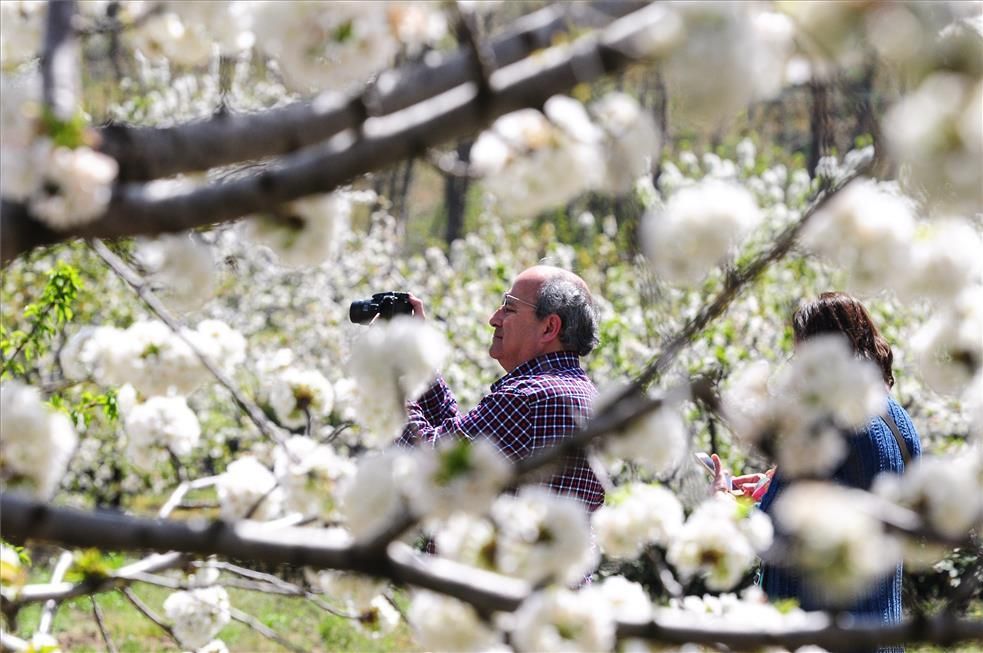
pixel 21 518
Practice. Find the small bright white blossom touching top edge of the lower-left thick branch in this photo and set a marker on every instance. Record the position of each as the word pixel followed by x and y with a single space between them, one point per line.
pixel 248 486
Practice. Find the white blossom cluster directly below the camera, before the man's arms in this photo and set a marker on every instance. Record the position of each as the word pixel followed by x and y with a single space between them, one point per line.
pixel 394 362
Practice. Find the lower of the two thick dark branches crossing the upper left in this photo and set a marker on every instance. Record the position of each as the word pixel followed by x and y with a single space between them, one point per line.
pixel 382 141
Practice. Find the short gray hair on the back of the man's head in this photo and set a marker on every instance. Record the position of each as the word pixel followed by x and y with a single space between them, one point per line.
pixel 573 303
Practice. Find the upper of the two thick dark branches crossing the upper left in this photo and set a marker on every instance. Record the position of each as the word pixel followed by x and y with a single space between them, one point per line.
pixel 146 153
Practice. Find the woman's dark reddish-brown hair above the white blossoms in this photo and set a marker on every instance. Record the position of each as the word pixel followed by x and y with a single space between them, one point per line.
pixel 836 312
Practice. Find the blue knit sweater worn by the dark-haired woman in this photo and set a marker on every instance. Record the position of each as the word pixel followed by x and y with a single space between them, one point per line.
pixel 872 450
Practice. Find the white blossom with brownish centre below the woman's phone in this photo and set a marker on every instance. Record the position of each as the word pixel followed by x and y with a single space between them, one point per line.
pixel 713 543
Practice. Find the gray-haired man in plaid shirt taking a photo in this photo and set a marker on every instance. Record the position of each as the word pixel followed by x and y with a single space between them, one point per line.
pixel 546 322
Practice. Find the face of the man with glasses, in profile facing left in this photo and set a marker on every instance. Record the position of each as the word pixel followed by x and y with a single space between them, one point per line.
pixel 518 332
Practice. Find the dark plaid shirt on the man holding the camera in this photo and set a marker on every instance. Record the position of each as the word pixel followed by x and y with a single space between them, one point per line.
pixel 530 408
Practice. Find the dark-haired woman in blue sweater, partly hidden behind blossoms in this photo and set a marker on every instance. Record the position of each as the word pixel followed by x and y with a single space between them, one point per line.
pixel 873 450
